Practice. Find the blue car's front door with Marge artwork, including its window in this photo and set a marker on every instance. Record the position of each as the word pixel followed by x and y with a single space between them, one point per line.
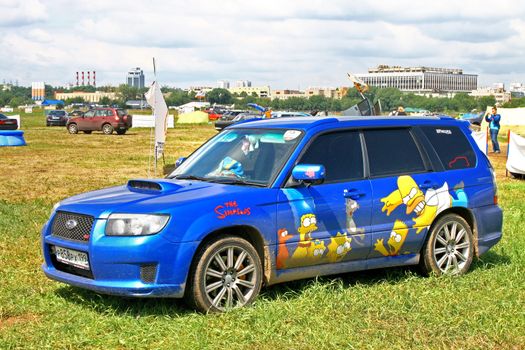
pixel 329 222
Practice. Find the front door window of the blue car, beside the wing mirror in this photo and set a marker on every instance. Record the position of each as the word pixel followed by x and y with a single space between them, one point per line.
pixel 340 153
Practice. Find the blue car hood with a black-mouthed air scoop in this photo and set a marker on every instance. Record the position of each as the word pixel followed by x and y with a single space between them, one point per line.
pixel 147 196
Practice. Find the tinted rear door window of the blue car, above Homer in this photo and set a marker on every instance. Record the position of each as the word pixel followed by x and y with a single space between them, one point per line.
pixel 392 152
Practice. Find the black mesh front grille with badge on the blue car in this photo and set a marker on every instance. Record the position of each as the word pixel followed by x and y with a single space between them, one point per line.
pixel 75 232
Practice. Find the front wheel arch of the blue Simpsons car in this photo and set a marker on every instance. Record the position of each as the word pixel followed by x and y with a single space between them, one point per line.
pixel 247 232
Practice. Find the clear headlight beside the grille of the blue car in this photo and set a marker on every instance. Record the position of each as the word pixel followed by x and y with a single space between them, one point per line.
pixel 135 224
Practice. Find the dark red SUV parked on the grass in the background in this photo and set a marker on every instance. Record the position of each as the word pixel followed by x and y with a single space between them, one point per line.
pixel 106 120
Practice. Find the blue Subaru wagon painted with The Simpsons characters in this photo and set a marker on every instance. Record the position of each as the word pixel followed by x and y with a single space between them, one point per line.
pixel 271 201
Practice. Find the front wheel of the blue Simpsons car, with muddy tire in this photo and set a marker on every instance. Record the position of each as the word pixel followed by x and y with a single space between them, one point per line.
pixel 216 287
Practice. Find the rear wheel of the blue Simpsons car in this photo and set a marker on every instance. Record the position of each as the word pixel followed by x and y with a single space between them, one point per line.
pixel 449 249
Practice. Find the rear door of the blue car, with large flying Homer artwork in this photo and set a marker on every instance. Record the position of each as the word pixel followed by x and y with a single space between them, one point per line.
pixel 404 185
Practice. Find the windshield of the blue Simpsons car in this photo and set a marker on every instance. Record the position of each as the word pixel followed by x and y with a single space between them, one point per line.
pixel 240 156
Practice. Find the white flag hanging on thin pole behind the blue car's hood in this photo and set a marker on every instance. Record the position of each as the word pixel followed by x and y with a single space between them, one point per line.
pixel 160 112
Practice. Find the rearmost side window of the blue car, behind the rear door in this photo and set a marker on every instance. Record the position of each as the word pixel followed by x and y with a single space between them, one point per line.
pixel 452 147
